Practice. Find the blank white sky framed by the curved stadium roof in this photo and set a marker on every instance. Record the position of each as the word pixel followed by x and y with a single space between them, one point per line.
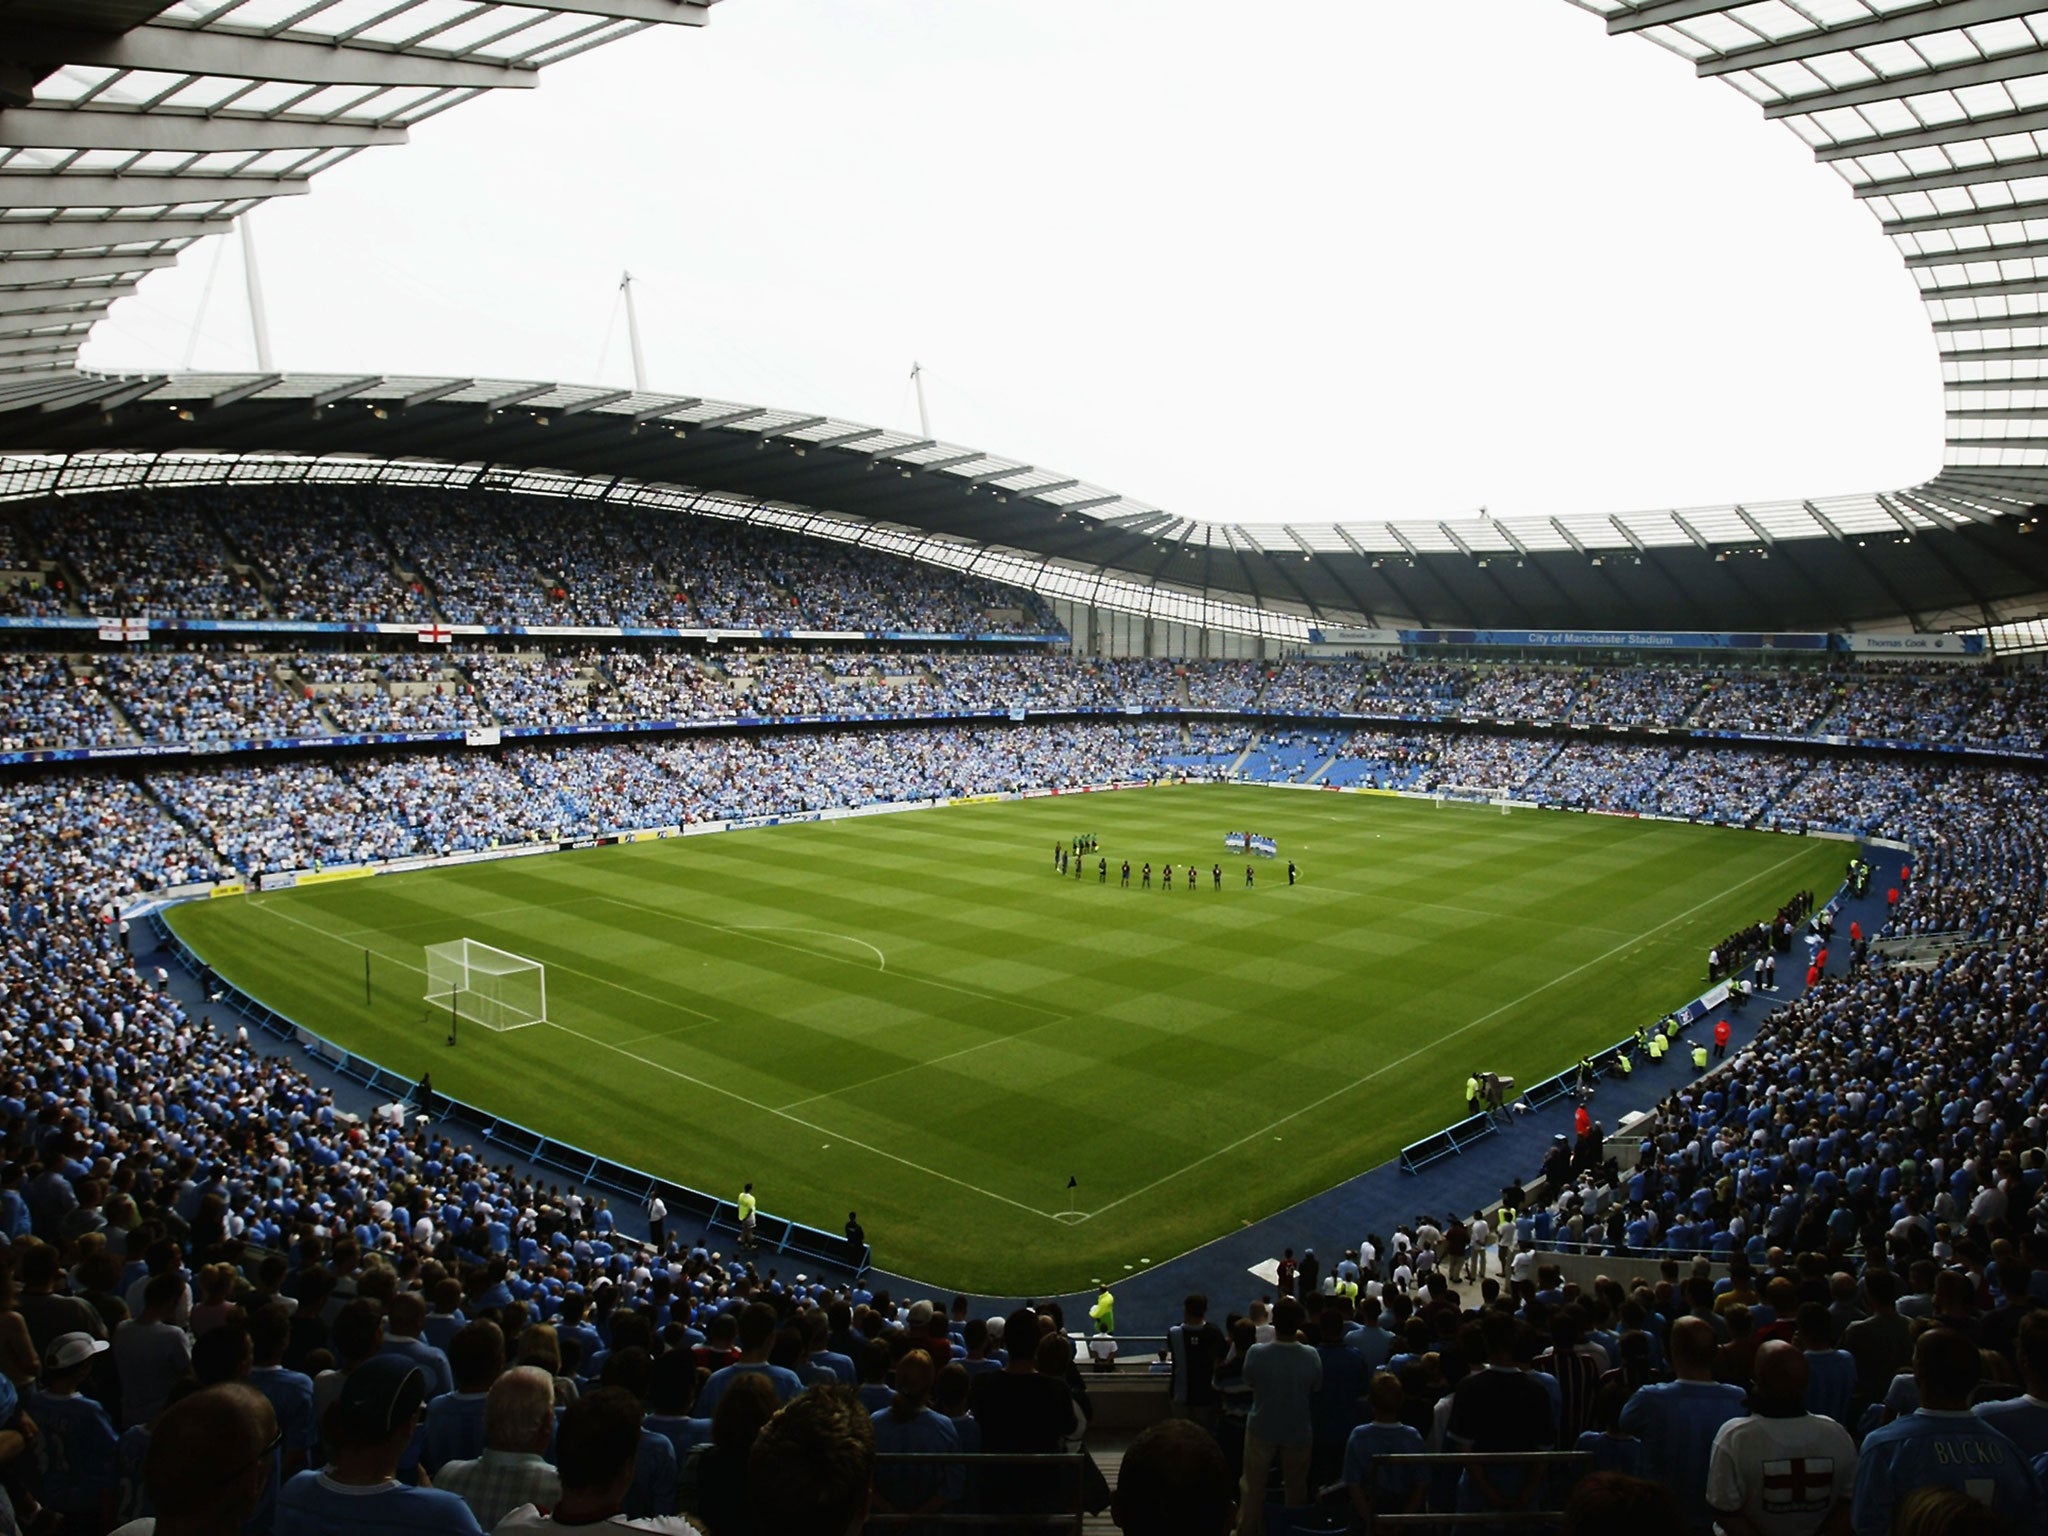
pixel 1250 263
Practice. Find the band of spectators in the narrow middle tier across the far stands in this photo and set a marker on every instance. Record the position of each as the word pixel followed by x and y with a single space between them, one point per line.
pixel 177 697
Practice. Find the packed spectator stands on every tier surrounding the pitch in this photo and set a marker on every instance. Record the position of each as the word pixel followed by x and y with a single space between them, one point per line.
pixel 1877 1129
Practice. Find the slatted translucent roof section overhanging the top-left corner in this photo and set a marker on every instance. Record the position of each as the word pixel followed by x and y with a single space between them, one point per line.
pixel 134 128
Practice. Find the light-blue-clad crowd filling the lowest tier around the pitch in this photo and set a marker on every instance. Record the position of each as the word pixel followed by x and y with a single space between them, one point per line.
pixel 1871 1170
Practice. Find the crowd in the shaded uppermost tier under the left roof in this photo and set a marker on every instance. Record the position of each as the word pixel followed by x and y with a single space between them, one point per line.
pixel 413 556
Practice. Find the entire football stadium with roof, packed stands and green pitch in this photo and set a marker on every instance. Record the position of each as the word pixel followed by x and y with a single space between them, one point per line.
pixel 585 955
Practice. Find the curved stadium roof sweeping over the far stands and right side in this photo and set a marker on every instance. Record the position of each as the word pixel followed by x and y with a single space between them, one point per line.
pixel 1934 114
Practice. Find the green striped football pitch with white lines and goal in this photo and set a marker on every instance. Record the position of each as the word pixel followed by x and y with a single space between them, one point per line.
pixel 914 1017
